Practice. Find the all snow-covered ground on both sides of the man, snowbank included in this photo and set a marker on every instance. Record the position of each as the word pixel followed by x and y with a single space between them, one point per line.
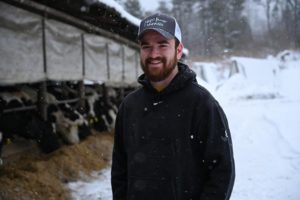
pixel 261 98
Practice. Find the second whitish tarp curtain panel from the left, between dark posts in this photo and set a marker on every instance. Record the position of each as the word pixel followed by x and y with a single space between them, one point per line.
pixel 64 51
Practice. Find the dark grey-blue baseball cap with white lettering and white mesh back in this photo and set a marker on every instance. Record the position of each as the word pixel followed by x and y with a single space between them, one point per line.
pixel 165 25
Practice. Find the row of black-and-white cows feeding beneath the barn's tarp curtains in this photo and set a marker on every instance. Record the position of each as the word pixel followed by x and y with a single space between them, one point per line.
pixel 66 123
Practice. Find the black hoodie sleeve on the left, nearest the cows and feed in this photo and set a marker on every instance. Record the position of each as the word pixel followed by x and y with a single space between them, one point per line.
pixel 119 161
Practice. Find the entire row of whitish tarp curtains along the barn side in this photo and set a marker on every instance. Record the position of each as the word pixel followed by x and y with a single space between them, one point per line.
pixel 21 51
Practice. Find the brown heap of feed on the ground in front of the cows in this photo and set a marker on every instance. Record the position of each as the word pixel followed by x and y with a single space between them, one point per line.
pixel 34 175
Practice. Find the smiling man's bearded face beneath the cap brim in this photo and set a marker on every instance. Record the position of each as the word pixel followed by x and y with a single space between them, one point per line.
pixel 158 55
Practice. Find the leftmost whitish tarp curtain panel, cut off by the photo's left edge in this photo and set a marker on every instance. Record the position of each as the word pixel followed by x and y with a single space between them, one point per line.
pixel 20 46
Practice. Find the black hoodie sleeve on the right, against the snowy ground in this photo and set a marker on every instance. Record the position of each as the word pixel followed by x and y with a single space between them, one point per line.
pixel 218 155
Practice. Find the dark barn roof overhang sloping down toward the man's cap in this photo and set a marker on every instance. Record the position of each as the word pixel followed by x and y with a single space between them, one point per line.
pixel 104 14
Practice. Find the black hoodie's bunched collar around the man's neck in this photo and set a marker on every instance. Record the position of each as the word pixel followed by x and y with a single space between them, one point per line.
pixel 184 76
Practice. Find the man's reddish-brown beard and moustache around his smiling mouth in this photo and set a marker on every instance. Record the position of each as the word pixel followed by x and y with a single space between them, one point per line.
pixel 163 73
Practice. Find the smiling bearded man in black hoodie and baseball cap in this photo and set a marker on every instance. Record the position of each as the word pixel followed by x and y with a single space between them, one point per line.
pixel 172 140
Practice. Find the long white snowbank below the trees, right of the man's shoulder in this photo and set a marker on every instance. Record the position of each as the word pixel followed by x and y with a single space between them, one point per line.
pixel 252 78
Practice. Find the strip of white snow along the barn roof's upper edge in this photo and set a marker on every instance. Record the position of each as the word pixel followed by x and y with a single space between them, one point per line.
pixel 122 11
